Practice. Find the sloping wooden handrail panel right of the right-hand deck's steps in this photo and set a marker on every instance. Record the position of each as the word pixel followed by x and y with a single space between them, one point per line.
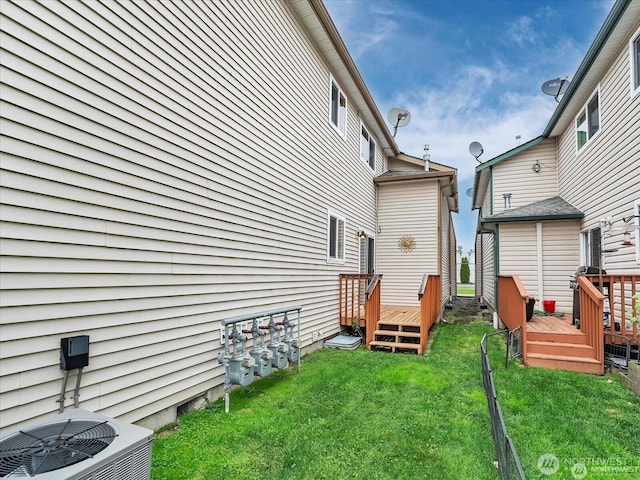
pixel 591 314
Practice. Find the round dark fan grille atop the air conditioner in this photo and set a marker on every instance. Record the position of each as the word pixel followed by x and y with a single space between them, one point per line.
pixel 46 448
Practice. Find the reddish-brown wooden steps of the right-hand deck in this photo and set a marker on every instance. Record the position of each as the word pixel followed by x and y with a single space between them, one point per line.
pixel 561 350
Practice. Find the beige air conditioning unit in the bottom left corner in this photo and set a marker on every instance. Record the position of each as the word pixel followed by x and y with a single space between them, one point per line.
pixel 77 445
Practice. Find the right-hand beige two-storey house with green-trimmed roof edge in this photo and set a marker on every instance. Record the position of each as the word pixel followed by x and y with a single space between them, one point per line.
pixel 541 204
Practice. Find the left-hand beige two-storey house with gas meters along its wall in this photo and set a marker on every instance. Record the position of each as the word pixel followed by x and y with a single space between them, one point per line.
pixel 166 166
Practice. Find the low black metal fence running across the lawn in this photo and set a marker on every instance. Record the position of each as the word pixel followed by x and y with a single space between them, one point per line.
pixel 508 462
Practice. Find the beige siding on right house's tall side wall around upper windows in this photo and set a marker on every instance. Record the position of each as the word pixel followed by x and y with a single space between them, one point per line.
pixel 602 180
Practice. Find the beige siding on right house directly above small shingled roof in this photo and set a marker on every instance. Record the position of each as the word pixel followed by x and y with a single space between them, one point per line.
pixel 516 176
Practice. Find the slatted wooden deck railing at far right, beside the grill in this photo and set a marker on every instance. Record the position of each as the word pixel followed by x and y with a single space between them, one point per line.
pixel 622 288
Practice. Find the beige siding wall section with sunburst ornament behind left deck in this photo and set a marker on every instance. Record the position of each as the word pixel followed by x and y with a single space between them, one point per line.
pixel 407 208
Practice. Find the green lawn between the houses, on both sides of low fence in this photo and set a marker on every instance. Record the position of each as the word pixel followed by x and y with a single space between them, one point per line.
pixel 372 415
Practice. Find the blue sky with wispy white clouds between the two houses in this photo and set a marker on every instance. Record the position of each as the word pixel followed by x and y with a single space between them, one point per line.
pixel 467 70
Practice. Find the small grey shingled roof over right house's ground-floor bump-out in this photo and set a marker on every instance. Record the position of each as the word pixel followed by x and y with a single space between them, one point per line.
pixel 554 208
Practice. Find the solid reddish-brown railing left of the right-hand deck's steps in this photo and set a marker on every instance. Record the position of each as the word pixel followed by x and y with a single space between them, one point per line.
pixel 512 306
